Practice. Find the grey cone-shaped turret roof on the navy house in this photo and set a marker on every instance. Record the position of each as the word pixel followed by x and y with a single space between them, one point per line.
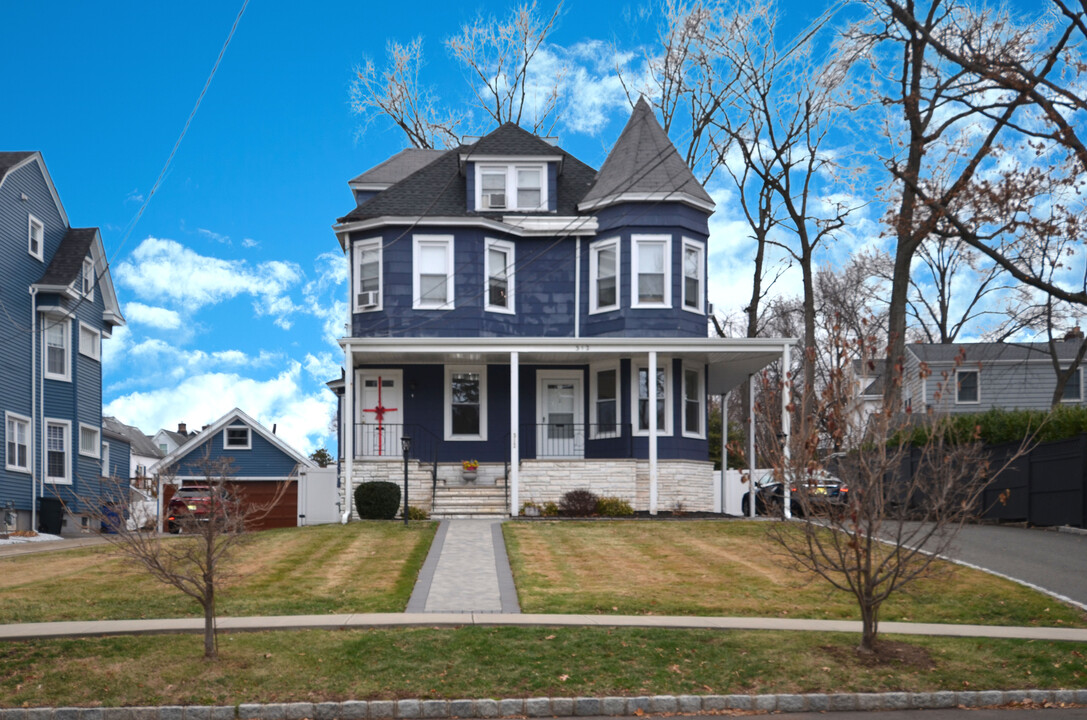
pixel 645 166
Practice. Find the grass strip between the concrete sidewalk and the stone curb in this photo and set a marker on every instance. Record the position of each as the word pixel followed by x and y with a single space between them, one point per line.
pixel 473 662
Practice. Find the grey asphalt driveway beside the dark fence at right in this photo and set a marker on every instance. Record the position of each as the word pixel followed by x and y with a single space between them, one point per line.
pixel 1056 562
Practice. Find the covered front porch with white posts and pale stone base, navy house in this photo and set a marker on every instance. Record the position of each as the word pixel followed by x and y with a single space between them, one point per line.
pixel 543 416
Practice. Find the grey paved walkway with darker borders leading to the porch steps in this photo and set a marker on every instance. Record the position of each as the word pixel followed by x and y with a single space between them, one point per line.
pixel 466 572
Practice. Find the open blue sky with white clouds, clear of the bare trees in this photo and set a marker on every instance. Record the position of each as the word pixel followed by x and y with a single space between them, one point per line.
pixel 233 283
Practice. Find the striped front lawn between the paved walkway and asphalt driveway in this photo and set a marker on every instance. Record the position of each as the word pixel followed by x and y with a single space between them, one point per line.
pixel 733 569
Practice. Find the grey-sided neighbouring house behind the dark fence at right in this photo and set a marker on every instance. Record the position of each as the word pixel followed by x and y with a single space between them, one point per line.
pixel 1008 376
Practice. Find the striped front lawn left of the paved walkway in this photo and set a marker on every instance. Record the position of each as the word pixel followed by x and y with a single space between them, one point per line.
pixel 363 567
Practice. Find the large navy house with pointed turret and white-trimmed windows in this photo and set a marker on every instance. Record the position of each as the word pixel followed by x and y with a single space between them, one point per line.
pixel 514 306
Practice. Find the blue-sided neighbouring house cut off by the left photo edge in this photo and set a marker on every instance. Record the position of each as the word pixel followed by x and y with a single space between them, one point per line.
pixel 59 306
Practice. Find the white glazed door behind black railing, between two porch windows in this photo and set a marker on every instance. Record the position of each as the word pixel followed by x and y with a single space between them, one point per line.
pixel 561 431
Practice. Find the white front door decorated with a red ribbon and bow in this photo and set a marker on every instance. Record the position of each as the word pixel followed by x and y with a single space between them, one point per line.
pixel 379 413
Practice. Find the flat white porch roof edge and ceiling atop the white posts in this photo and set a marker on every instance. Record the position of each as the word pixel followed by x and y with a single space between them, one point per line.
pixel 731 359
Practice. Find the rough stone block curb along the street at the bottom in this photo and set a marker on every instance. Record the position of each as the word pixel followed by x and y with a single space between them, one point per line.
pixel 545 707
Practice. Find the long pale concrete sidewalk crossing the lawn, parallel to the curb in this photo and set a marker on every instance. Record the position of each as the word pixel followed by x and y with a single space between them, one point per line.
pixel 40 630
